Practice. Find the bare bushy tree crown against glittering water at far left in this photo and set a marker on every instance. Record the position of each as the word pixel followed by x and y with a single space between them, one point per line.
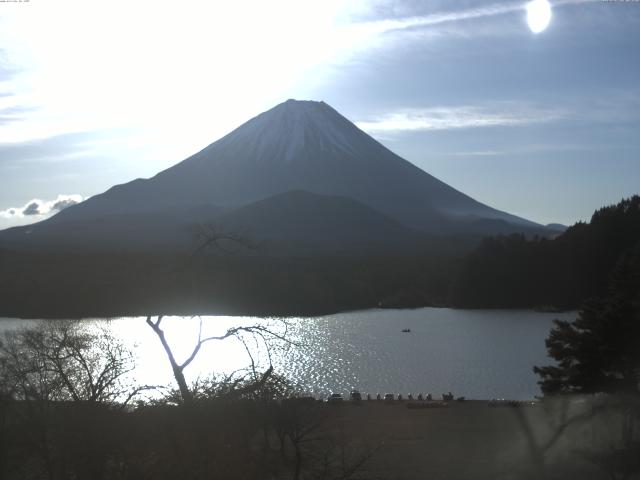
pixel 65 360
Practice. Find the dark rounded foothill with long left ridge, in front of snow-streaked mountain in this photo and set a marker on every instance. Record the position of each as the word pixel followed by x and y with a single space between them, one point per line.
pixel 292 223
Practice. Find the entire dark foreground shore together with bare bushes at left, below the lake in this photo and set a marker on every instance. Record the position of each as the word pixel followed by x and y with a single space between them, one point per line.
pixel 71 409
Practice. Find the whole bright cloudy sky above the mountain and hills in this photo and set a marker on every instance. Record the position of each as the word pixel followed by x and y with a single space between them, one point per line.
pixel 543 125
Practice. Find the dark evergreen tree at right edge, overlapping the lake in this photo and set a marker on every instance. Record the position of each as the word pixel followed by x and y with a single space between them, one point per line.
pixel 600 350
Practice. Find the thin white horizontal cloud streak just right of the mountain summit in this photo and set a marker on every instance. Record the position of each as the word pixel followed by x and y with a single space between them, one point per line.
pixel 457 117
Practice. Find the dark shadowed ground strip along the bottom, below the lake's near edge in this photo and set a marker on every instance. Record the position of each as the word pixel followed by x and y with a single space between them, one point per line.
pixel 247 439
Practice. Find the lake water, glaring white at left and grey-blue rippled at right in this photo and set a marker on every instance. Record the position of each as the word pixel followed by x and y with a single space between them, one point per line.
pixel 474 353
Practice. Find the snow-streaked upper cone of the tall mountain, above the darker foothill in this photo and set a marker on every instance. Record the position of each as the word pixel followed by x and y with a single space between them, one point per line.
pixel 299 145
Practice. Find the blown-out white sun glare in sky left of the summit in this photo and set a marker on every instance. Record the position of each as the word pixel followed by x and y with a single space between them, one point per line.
pixel 157 64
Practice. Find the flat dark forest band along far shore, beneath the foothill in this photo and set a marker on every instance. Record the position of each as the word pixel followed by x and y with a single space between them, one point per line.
pixel 64 285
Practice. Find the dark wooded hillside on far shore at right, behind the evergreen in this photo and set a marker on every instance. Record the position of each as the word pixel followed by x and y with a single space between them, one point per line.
pixel 516 272
